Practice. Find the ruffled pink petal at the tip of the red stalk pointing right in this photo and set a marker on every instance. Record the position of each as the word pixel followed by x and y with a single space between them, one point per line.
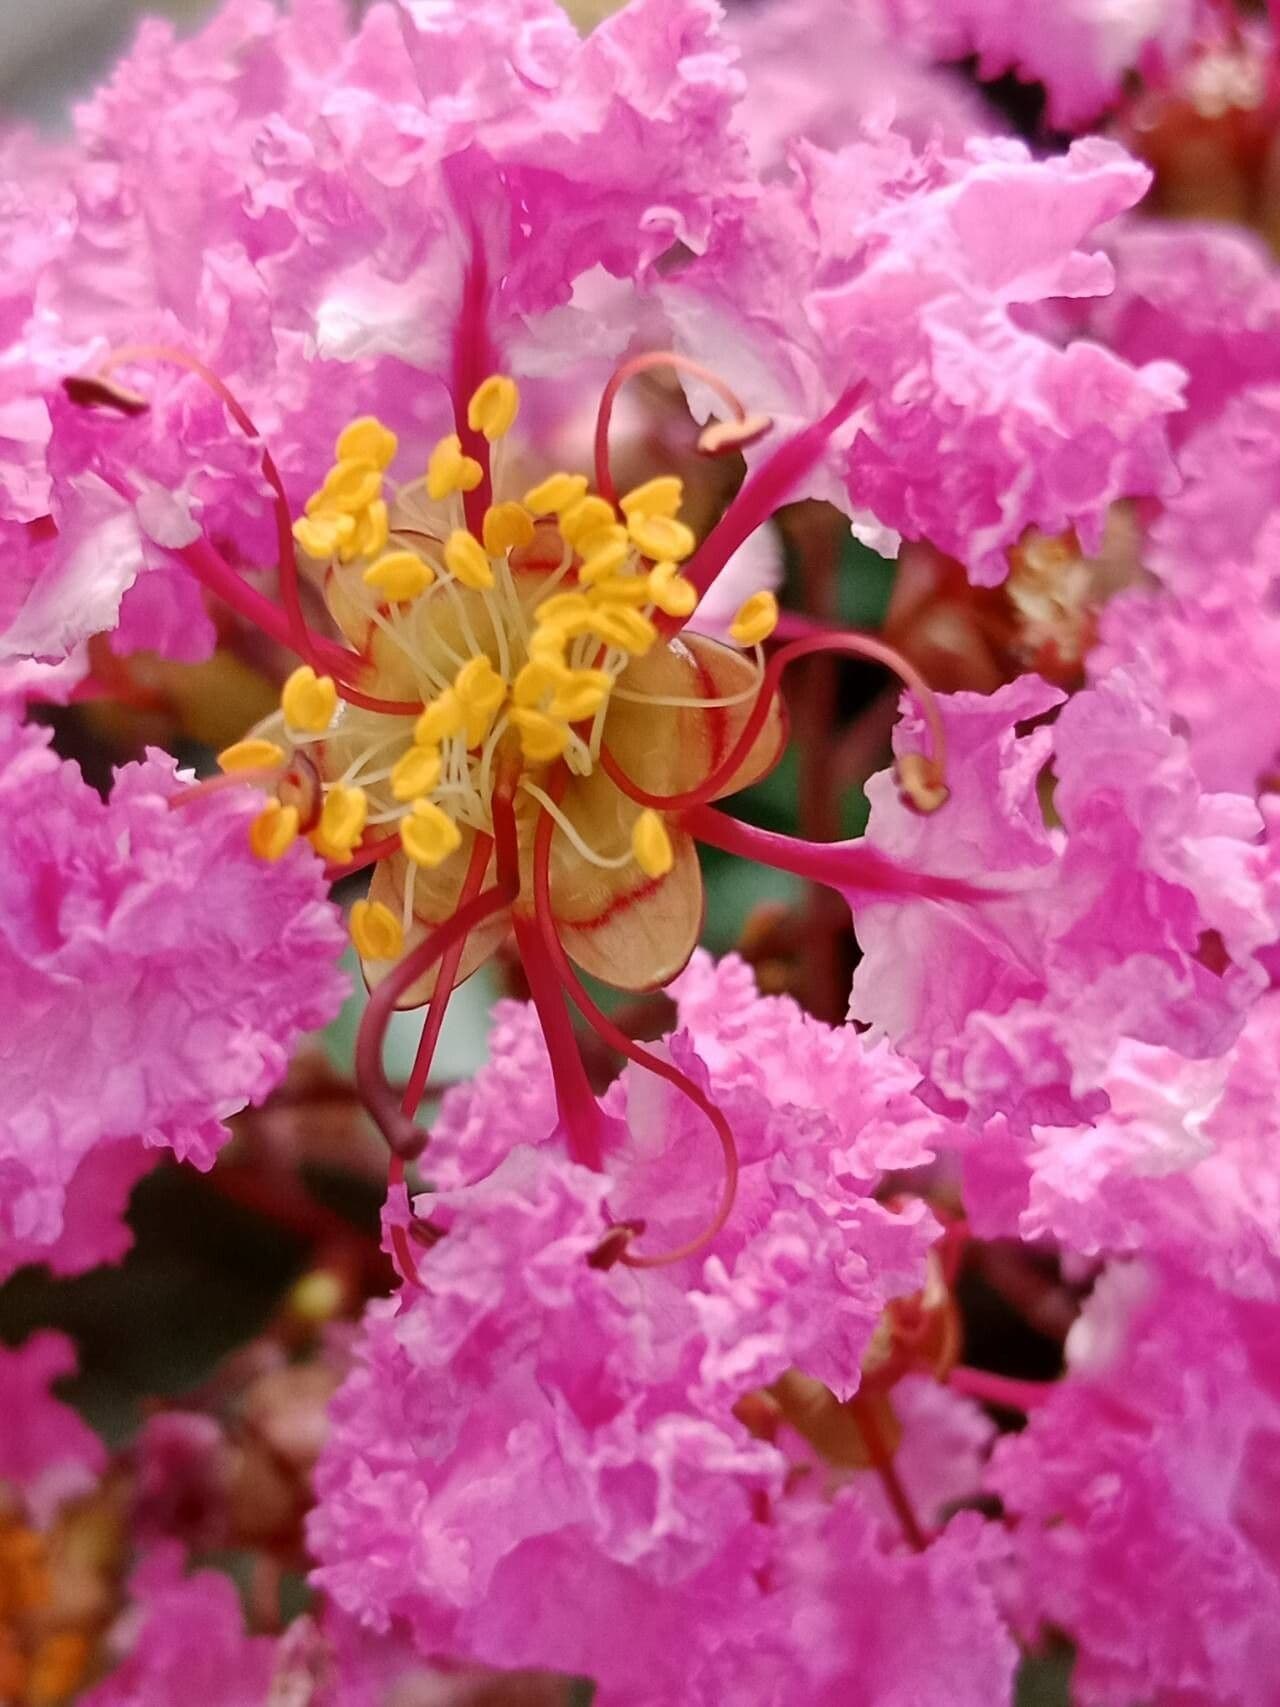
pixel 1016 1008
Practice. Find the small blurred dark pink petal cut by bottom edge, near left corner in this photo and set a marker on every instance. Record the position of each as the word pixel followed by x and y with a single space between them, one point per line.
pixel 183 1640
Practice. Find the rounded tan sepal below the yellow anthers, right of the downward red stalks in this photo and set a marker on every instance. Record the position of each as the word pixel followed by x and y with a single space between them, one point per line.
pixel 631 931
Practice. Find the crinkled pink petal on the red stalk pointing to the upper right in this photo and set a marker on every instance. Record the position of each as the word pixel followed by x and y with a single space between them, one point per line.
pixel 897 269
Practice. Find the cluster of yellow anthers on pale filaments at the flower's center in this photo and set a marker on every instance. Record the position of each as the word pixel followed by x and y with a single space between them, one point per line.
pixel 508 648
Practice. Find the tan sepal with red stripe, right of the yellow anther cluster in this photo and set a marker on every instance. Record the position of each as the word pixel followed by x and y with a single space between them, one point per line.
pixel 666 749
